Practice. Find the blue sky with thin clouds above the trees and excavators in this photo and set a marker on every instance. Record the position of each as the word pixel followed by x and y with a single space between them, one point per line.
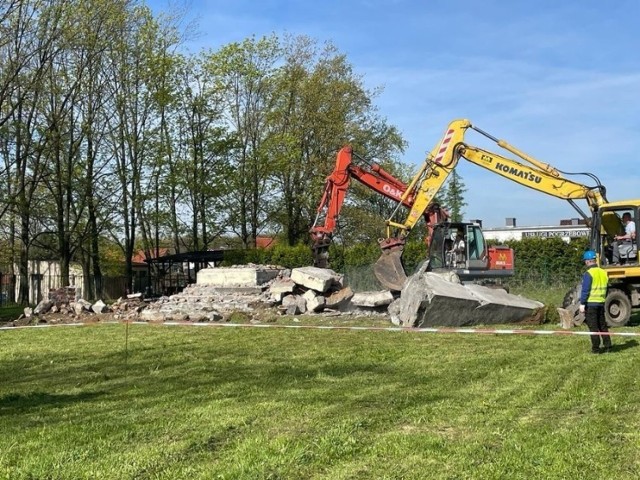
pixel 558 80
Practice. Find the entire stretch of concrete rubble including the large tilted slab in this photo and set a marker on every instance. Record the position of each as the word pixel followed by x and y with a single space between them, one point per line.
pixel 426 300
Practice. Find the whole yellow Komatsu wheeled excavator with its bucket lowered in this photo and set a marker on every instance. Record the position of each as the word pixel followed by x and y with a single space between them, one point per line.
pixel 604 218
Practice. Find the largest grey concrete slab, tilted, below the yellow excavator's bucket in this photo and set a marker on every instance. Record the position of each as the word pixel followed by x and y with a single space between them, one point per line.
pixel 429 299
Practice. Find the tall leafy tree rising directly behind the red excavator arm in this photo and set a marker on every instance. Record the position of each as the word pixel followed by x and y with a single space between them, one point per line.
pixel 320 106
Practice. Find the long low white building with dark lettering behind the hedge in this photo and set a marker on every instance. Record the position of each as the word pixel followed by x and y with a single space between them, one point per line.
pixel 568 229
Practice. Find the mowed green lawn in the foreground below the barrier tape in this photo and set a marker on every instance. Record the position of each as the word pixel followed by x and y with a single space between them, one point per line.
pixel 158 402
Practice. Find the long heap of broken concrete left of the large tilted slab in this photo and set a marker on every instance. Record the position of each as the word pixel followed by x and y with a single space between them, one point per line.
pixel 220 292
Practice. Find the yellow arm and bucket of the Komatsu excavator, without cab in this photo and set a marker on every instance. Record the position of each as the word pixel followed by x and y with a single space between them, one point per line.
pixel 439 164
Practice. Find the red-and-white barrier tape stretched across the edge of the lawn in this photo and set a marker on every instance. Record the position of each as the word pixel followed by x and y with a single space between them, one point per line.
pixel 482 331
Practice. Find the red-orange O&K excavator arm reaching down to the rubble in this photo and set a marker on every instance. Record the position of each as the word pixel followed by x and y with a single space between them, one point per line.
pixel 372 176
